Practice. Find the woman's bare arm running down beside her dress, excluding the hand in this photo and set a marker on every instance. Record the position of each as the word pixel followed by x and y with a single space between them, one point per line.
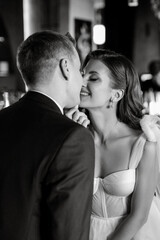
pixel 146 178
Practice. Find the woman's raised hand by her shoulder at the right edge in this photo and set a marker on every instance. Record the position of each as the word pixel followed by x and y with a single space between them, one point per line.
pixel 150 124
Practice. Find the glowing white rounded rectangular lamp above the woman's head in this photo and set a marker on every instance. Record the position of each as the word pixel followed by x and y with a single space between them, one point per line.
pixel 99 34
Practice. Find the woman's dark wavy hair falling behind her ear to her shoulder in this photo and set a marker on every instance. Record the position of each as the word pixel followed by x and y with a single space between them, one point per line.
pixel 123 76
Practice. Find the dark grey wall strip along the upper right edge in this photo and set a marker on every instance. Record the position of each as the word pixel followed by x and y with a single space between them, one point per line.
pixel 146 37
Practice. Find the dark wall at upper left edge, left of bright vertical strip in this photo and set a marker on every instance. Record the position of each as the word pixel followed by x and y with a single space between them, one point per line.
pixel 11 19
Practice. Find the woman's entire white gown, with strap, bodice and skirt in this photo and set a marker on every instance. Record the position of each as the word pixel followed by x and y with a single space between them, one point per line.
pixel 111 202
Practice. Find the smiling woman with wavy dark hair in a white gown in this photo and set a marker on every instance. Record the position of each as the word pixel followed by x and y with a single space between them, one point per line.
pixel 125 197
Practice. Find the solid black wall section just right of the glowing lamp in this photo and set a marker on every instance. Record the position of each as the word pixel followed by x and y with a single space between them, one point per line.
pixel 119 20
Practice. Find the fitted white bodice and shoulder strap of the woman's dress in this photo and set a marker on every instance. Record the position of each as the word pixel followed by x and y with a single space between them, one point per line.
pixel 112 193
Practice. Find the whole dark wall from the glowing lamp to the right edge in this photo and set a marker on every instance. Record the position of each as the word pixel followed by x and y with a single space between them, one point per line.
pixel 133 31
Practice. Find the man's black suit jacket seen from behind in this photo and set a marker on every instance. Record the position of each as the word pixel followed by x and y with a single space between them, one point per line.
pixel 46 172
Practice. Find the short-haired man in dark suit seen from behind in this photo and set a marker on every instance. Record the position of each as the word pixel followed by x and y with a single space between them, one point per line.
pixel 46 160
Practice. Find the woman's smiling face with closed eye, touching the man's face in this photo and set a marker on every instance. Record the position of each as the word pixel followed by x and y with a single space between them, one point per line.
pixel 96 90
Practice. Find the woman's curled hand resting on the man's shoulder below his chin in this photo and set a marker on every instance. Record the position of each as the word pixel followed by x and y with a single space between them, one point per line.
pixel 77 116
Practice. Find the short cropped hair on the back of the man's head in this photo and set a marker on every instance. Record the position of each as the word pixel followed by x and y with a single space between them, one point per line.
pixel 40 53
